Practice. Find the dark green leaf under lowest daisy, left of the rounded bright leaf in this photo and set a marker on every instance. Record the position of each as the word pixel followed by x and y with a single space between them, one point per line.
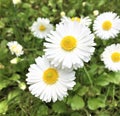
pixel 59 107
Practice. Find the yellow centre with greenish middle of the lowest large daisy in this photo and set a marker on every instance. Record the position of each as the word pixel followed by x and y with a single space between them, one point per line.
pixel 50 76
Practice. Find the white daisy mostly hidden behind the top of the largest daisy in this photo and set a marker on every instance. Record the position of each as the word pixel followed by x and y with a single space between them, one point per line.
pixel 83 20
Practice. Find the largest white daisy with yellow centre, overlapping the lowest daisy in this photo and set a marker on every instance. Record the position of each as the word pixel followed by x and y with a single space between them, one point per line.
pixel 70 45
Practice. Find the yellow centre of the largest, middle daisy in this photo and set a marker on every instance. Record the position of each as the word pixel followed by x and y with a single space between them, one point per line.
pixel 68 43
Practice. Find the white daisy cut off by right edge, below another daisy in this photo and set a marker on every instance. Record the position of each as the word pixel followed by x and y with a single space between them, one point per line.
pixel 111 57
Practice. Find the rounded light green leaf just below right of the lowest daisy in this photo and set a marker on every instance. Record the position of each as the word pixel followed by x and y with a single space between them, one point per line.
pixel 77 103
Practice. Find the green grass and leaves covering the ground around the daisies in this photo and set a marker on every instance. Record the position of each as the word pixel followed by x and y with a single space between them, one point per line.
pixel 102 98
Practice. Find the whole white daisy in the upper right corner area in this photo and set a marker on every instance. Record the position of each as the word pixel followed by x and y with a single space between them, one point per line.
pixel 107 25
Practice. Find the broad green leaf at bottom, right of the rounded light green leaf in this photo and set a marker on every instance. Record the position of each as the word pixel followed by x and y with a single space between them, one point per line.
pixel 95 103
